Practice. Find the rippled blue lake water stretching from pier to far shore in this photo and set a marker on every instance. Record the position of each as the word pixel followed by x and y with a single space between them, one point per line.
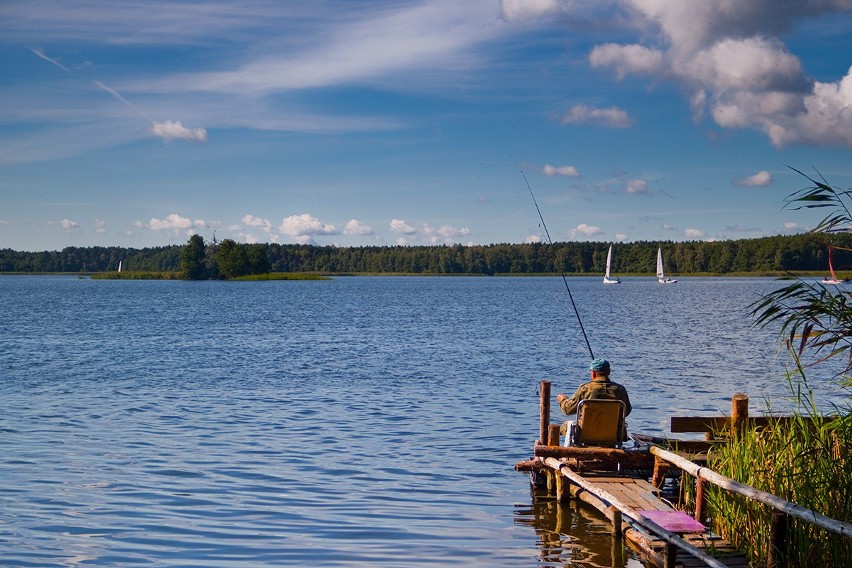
pixel 359 421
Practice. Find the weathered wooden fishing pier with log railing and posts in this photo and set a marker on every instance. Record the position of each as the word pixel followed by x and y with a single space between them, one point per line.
pixel 626 487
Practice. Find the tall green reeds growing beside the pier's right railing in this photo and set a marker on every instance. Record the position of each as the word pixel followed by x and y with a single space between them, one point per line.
pixel 801 462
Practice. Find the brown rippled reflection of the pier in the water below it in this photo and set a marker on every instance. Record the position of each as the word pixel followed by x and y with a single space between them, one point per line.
pixel 573 534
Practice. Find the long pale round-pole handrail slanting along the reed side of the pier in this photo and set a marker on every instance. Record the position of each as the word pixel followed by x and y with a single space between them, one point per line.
pixel 700 472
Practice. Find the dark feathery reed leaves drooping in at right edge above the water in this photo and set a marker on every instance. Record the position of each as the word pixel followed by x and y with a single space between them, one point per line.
pixel 812 315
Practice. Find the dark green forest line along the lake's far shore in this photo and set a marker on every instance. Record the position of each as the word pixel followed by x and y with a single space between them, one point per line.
pixel 226 259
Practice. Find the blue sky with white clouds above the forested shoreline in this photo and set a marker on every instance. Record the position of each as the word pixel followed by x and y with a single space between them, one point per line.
pixel 409 122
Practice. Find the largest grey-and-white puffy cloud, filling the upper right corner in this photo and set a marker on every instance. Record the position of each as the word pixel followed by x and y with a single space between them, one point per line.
pixel 729 59
